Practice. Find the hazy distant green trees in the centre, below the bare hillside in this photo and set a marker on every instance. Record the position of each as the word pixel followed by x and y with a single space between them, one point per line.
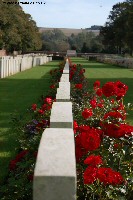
pixel 55 40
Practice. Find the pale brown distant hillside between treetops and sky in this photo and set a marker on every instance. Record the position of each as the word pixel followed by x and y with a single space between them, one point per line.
pixel 69 31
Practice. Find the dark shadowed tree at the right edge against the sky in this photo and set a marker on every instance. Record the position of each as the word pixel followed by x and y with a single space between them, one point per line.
pixel 117 33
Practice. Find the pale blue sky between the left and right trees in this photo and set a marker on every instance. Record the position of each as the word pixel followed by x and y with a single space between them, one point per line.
pixel 69 13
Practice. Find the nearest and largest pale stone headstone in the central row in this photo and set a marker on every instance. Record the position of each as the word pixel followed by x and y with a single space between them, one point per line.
pixel 55 171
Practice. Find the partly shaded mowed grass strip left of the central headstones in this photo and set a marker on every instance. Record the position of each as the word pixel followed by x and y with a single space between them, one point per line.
pixel 17 93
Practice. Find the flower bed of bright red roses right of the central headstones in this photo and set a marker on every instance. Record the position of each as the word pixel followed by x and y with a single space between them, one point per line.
pixel 103 138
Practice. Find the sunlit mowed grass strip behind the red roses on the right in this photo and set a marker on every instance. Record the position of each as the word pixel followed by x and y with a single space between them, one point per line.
pixel 105 73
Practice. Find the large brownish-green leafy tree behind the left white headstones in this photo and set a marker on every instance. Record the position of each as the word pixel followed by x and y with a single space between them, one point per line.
pixel 18 31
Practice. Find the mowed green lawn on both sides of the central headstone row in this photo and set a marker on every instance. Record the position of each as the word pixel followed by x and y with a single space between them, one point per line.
pixel 18 92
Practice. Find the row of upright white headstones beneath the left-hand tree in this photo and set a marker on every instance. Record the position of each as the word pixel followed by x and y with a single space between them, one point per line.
pixel 10 65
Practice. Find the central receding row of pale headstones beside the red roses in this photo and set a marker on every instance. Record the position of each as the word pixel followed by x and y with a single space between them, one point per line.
pixel 55 170
